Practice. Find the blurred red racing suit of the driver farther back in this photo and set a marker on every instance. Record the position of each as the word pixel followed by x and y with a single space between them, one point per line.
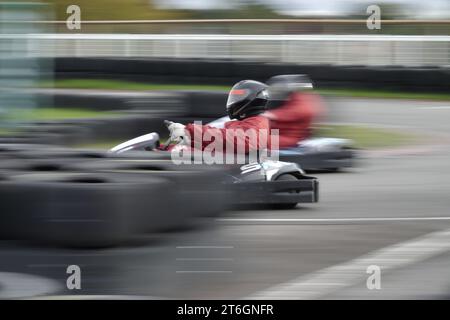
pixel 295 117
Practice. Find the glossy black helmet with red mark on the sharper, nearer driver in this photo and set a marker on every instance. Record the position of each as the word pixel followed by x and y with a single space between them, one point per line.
pixel 247 98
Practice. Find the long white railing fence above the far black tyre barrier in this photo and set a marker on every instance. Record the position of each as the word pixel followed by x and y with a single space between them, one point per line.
pixel 302 49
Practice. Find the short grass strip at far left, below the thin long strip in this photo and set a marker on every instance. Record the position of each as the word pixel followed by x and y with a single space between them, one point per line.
pixel 39 114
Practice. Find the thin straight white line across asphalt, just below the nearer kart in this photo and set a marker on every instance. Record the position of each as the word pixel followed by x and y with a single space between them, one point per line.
pixel 331 220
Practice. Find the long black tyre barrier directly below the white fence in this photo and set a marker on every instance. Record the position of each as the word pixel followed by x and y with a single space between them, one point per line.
pixel 227 72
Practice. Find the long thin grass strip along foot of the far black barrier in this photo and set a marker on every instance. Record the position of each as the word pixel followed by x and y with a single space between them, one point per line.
pixel 129 85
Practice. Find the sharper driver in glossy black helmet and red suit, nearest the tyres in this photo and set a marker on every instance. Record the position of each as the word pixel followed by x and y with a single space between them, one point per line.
pixel 246 102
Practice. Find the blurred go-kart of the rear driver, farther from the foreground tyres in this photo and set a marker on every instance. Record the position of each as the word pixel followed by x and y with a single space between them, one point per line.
pixel 329 154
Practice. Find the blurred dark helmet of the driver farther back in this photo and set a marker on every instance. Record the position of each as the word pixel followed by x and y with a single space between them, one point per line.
pixel 282 86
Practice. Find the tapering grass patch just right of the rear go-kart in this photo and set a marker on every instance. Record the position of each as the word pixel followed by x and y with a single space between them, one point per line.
pixel 366 137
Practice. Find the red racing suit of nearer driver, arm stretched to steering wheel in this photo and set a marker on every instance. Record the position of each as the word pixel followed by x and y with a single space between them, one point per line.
pixel 250 134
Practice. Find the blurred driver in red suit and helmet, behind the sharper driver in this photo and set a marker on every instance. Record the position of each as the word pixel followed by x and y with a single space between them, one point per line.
pixel 293 108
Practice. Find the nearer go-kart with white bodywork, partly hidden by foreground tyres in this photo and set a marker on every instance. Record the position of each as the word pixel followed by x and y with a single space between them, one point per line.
pixel 277 184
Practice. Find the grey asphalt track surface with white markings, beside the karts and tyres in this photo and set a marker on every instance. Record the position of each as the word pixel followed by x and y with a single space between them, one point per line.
pixel 391 211
